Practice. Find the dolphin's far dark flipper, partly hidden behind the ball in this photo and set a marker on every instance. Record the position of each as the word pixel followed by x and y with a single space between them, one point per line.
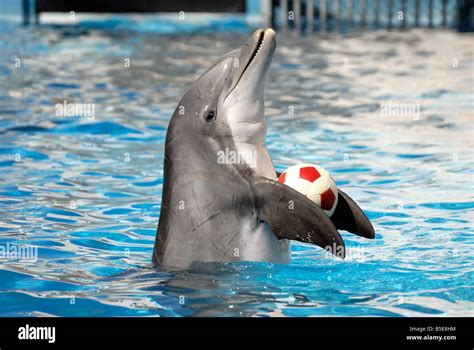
pixel 350 217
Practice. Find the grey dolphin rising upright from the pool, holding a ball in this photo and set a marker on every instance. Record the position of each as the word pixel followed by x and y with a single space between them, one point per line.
pixel 220 201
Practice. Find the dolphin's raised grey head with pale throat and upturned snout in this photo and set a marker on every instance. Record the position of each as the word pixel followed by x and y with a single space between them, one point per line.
pixel 227 100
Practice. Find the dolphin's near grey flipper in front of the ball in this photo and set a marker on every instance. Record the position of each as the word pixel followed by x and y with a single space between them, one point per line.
pixel 291 215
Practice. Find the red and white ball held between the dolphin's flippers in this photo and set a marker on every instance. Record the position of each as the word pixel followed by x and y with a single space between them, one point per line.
pixel 314 182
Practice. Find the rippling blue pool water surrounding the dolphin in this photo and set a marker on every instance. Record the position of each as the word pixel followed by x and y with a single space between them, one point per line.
pixel 87 191
